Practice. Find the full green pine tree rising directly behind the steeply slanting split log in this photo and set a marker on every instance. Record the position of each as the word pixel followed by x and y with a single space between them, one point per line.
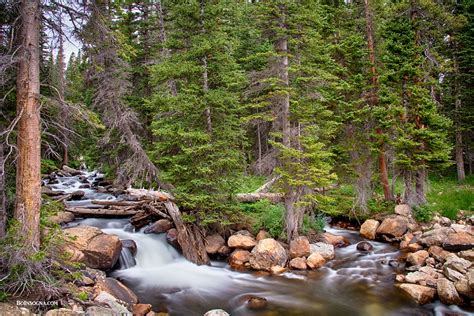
pixel 198 129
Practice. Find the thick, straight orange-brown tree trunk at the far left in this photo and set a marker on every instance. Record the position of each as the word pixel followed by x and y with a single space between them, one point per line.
pixel 28 177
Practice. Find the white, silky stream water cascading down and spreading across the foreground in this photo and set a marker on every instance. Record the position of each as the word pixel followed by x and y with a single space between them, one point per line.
pixel 354 283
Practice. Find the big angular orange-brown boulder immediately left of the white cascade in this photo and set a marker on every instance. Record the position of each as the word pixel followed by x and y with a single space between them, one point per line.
pixel 99 250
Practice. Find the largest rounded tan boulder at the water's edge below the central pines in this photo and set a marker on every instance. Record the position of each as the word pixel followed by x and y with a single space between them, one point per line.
pixel 266 254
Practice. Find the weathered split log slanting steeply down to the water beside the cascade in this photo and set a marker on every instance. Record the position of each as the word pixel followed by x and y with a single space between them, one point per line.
pixel 190 237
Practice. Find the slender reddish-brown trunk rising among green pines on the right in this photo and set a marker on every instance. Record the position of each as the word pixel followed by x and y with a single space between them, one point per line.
pixel 373 97
